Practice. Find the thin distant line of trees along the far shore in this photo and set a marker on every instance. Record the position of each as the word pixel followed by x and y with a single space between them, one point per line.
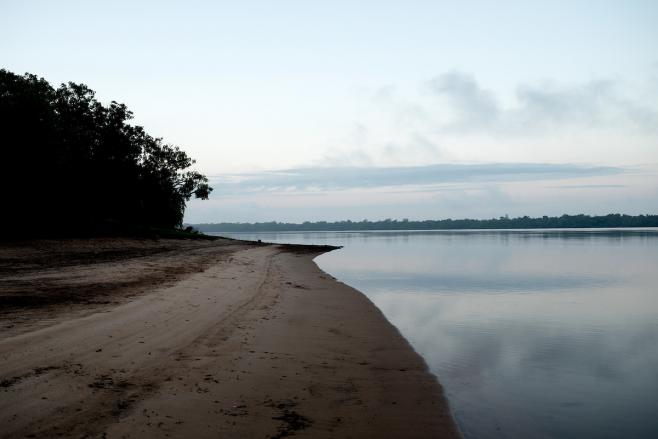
pixel 525 222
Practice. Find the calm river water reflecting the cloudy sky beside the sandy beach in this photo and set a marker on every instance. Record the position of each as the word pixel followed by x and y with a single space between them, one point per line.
pixel 533 334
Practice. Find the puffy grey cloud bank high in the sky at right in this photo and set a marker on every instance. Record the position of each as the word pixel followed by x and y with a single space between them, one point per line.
pixel 543 106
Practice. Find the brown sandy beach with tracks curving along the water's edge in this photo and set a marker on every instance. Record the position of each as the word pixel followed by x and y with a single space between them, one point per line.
pixel 162 338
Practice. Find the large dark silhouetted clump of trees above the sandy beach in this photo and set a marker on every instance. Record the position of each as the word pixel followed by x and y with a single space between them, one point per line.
pixel 71 163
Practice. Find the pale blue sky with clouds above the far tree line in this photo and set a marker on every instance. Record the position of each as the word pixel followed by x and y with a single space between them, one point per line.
pixel 303 110
